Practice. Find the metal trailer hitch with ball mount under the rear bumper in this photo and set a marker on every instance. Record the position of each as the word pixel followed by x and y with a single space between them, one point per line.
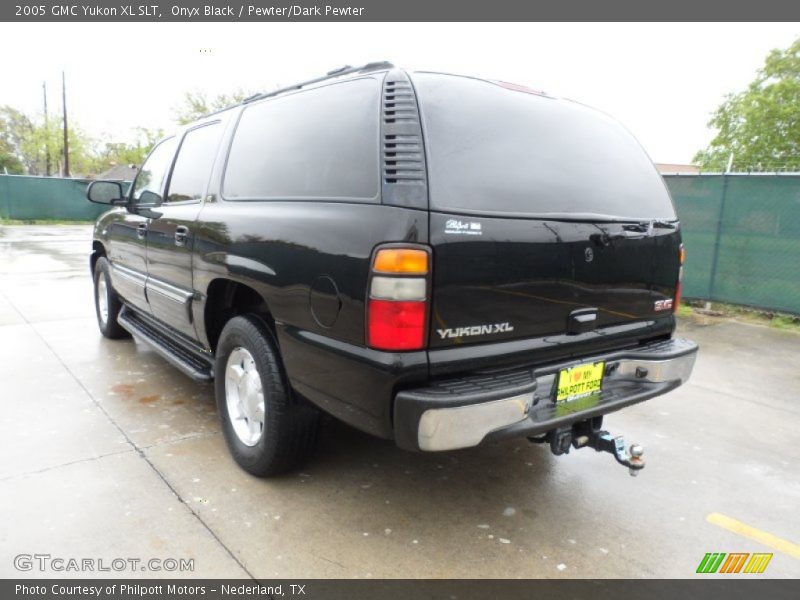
pixel 587 434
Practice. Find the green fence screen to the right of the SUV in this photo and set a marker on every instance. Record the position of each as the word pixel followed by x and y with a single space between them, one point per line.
pixel 742 237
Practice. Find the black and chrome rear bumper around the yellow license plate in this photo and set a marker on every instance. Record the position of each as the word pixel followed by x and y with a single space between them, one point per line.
pixel 463 412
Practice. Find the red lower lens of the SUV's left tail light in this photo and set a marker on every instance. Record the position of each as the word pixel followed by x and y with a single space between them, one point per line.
pixel 396 325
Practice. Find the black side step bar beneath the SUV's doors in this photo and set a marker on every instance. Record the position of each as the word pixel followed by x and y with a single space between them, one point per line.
pixel 187 357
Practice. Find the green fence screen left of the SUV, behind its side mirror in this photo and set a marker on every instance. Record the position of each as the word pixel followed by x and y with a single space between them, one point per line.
pixel 30 198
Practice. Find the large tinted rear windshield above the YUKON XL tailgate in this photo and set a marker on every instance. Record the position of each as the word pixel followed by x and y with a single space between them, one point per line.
pixel 493 150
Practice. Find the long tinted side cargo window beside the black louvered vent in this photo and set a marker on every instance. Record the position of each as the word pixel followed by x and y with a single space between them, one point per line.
pixel 316 144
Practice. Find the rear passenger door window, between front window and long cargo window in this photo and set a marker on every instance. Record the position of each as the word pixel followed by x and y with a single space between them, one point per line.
pixel 193 165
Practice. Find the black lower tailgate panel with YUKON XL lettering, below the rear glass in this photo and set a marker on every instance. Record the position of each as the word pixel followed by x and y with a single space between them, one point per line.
pixel 498 278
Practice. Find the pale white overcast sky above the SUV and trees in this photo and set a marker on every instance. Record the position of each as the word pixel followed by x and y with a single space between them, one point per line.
pixel 662 80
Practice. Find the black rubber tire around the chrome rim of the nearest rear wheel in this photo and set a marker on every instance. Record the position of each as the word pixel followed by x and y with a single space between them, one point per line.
pixel 289 430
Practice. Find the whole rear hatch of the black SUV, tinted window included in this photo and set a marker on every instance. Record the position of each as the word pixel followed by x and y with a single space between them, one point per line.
pixel 542 211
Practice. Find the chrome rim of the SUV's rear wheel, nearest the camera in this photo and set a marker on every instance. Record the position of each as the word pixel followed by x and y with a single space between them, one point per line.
pixel 244 396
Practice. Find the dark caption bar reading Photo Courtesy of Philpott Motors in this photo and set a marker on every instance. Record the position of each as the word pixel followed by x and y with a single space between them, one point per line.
pixel 710 588
